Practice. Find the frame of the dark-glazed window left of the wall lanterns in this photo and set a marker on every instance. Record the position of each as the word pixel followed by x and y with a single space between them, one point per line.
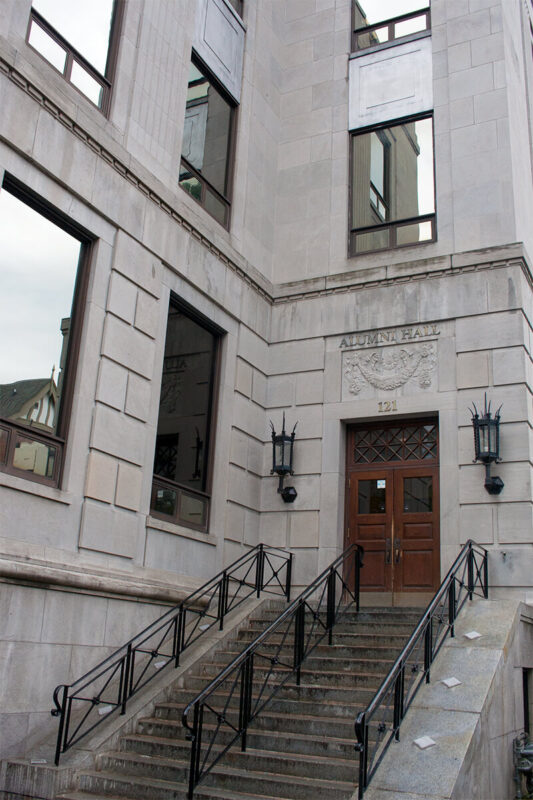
pixel 209 445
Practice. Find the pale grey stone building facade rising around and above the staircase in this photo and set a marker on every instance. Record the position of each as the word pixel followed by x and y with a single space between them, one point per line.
pixel 348 245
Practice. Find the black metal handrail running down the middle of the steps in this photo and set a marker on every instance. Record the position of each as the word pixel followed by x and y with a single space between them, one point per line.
pixel 262 669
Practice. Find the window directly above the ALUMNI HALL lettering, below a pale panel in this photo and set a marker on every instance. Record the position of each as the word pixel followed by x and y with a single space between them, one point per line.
pixel 392 187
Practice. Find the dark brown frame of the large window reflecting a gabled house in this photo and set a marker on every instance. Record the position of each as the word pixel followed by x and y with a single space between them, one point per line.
pixel 15 430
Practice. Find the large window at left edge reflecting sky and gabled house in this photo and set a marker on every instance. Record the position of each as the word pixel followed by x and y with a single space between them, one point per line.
pixel 42 291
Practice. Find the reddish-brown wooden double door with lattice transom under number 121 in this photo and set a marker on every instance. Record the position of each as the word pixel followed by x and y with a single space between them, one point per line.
pixel 393 506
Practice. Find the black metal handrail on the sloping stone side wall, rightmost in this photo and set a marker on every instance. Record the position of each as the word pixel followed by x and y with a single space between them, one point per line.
pixel 379 723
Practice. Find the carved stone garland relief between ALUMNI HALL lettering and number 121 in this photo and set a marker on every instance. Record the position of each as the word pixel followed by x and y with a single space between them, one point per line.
pixel 389 368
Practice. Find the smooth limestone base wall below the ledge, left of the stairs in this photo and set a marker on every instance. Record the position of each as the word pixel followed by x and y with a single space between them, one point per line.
pixel 51 637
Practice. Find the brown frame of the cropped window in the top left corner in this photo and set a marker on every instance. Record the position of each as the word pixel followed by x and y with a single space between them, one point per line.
pixel 72 55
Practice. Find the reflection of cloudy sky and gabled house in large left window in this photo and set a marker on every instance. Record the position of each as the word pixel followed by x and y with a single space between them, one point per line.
pixel 38 266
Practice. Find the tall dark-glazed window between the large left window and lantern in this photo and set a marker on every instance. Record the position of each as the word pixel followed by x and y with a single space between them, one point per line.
pixel 182 450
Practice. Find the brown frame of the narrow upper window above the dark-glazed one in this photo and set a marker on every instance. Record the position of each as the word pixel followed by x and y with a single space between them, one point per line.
pixel 205 184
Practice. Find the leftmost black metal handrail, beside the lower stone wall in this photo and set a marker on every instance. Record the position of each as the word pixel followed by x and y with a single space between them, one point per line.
pixel 83 705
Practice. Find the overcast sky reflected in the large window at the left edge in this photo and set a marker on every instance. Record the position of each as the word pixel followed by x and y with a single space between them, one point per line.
pixel 38 263
